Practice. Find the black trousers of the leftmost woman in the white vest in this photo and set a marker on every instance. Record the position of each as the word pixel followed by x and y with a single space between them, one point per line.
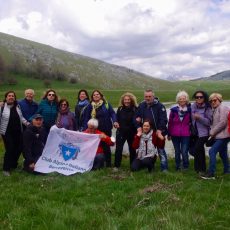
pixel 13 149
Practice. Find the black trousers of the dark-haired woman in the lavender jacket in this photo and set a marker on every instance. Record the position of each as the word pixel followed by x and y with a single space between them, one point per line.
pixel 199 155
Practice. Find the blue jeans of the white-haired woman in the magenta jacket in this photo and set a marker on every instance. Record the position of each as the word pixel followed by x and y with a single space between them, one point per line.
pixel 181 146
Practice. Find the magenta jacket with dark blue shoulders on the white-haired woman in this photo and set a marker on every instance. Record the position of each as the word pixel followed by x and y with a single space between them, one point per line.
pixel 177 127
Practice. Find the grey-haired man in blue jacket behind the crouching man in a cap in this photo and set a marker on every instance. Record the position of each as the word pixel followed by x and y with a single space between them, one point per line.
pixel 28 106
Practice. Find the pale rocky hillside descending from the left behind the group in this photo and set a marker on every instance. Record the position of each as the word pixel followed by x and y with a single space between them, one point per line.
pixel 86 70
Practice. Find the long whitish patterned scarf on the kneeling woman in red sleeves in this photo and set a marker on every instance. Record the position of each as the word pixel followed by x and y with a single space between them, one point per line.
pixel 146 147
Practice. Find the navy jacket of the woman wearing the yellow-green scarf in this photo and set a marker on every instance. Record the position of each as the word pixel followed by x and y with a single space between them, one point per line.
pixel 105 115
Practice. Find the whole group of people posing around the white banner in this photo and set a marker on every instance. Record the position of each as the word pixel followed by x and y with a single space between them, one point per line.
pixel 25 125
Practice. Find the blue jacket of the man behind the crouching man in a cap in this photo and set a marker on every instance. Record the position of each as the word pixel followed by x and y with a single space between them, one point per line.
pixel 28 108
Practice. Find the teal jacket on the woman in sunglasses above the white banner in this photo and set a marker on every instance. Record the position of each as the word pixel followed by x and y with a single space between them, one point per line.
pixel 49 112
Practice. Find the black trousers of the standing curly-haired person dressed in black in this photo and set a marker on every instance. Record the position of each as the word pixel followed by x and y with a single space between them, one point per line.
pixel 121 138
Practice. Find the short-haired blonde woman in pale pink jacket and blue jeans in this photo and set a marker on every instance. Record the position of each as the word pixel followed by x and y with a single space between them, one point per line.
pixel 219 132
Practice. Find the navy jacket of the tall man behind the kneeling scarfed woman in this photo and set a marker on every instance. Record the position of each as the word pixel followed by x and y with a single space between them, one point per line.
pixel 156 113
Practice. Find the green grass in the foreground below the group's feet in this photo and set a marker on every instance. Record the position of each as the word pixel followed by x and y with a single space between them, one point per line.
pixel 108 200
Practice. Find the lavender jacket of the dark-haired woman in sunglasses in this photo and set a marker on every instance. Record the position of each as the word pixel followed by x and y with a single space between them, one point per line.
pixel 203 124
